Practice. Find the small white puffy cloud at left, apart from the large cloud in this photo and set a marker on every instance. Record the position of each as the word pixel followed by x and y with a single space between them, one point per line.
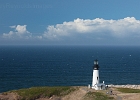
pixel 20 31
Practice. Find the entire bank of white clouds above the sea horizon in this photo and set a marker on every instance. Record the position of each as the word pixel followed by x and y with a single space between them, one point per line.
pixel 87 31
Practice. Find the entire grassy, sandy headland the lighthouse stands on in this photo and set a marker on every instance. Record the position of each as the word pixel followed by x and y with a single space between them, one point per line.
pixel 113 92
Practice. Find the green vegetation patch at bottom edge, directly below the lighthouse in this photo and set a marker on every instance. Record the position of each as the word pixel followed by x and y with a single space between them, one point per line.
pixel 97 96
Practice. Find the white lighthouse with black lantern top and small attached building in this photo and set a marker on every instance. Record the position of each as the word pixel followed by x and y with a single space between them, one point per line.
pixel 96 80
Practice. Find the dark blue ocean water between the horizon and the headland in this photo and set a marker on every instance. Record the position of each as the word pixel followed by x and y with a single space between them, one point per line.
pixel 29 66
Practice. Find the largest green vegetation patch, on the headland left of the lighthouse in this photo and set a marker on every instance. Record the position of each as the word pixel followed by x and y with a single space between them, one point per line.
pixel 37 92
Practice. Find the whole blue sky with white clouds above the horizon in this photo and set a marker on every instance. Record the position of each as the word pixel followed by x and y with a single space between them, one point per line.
pixel 70 22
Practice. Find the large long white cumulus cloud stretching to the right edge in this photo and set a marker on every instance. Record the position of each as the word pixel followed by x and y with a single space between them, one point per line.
pixel 95 28
